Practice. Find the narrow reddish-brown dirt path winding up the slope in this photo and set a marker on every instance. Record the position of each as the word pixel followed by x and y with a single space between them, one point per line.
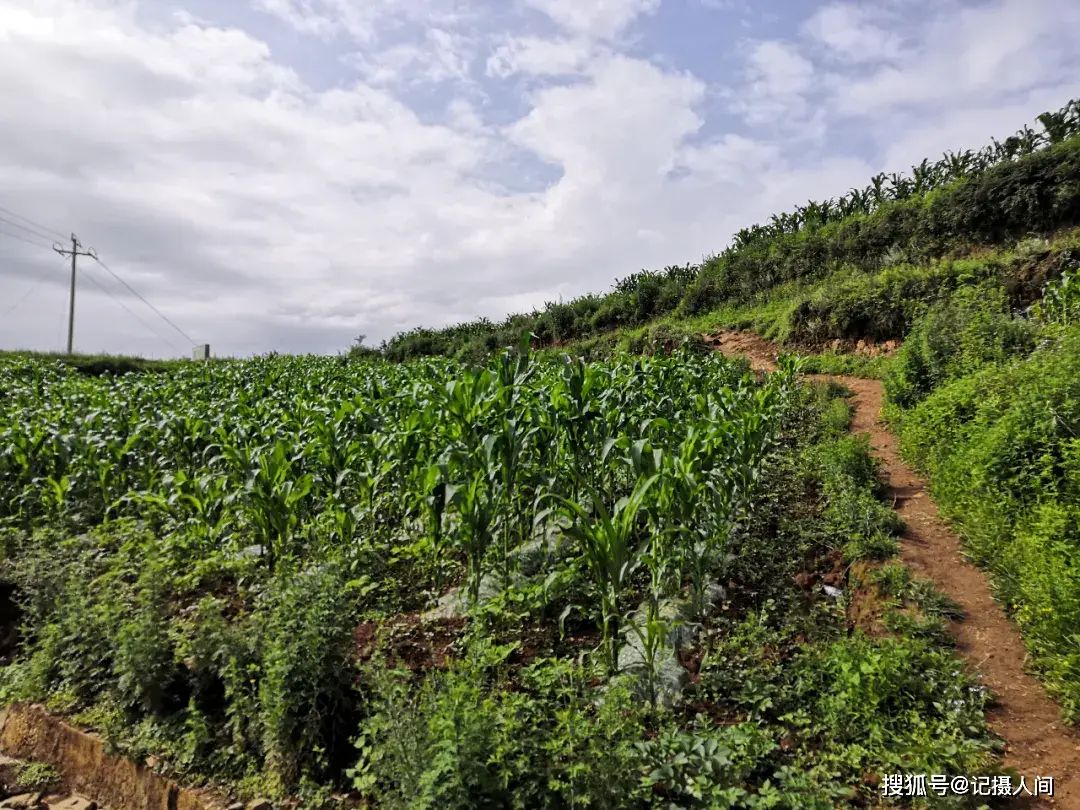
pixel 1038 744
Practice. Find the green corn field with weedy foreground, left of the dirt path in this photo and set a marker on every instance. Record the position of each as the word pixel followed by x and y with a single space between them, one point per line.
pixel 431 585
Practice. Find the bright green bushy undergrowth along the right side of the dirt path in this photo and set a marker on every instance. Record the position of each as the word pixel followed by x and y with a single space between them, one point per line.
pixel 998 439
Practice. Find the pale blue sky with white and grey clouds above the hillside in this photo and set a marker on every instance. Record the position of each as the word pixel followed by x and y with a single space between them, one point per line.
pixel 287 175
